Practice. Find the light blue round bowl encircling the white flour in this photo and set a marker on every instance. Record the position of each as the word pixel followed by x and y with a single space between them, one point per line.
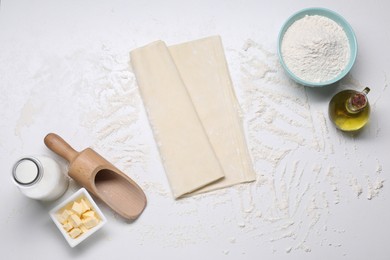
pixel 339 20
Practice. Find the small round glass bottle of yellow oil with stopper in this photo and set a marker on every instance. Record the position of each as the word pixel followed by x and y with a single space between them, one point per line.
pixel 349 110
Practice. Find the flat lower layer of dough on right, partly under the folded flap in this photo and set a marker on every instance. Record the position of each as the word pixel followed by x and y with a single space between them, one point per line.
pixel 202 66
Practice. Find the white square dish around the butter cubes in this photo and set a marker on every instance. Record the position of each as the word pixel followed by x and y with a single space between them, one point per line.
pixel 81 193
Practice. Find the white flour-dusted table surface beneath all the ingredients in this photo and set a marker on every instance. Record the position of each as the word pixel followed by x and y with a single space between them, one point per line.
pixel 64 68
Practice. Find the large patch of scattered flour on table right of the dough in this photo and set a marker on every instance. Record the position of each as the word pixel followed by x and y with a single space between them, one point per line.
pixel 296 193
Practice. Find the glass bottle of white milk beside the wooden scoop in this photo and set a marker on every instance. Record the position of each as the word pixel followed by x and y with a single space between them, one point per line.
pixel 40 178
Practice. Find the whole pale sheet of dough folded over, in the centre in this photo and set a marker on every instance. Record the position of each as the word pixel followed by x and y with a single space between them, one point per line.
pixel 193 111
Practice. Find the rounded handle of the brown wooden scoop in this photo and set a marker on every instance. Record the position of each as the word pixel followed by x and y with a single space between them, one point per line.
pixel 59 146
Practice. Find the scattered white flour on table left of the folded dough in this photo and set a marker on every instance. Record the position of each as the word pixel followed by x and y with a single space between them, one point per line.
pixel 114 111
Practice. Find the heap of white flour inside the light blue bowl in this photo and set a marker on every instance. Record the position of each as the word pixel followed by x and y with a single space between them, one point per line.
pixel 315 48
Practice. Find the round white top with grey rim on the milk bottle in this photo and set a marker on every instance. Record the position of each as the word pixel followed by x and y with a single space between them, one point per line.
pixel 27 171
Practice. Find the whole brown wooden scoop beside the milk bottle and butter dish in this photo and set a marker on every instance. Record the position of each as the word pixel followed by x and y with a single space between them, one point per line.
pixel 101 178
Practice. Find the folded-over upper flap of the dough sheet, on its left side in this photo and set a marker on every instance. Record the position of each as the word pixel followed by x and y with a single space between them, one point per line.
pixel 189 160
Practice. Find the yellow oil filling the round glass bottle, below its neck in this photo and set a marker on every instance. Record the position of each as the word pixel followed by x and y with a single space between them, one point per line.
pixel 343 117
